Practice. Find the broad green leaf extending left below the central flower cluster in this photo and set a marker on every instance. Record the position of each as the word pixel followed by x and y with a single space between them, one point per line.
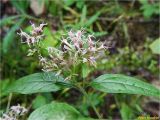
pixel 36 83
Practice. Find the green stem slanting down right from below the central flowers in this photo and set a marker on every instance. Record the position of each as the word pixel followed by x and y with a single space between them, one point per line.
pixel 86 95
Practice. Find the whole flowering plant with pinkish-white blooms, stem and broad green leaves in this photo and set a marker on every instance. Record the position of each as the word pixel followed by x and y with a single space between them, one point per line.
pixel 66 66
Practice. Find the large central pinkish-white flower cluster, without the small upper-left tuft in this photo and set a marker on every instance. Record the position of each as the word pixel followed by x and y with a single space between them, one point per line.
pixel 78 47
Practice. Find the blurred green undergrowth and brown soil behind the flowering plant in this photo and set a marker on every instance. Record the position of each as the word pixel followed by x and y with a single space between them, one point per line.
pixel 130 28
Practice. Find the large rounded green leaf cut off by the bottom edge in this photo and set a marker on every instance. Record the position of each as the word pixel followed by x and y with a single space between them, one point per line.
pixel 56 111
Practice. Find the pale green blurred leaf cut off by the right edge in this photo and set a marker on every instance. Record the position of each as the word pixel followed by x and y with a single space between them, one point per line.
pixel 155 46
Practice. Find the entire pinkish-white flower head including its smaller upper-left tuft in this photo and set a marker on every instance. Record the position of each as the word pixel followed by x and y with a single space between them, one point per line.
pixel 76 48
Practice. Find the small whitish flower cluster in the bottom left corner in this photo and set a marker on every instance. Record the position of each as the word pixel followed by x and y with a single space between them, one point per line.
pixel 14 112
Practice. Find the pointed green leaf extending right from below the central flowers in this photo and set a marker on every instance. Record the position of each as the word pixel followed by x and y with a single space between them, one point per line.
pixel 116 83
